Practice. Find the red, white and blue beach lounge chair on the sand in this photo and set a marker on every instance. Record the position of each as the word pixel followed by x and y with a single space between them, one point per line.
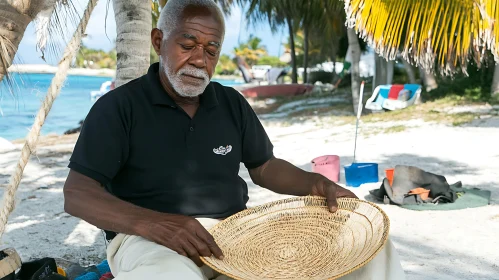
pixel 393 97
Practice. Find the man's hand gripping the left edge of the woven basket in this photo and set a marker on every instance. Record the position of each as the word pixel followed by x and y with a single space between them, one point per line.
pixel 183 234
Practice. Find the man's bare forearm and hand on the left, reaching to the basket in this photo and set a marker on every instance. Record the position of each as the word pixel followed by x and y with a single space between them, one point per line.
pixel 85 198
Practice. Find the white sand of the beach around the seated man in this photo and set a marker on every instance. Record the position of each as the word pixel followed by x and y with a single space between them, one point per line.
pixel 460 244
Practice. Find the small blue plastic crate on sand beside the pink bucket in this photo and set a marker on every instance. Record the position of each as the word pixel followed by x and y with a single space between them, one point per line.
pixel 361 173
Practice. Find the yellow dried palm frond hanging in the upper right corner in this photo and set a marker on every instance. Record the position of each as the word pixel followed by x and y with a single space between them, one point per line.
pixel 433 34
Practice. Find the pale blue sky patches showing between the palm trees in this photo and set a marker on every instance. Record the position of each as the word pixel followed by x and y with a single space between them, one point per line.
pixel 97 38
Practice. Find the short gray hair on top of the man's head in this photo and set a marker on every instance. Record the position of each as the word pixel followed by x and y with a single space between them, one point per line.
pixel 171 14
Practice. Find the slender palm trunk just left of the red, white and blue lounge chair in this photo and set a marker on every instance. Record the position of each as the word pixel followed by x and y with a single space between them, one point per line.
pixel 354 48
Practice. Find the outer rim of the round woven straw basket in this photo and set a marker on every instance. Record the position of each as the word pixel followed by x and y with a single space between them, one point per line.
pixel 245 212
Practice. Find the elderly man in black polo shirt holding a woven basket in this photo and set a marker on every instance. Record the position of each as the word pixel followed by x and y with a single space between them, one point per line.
pixel 157 160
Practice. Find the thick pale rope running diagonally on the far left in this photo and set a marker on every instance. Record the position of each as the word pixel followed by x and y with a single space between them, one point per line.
pixel 32 137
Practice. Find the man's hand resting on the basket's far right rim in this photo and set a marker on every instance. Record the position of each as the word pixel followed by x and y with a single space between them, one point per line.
pixel 331 191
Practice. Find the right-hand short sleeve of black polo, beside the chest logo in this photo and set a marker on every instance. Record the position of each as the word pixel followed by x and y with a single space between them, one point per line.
pixel 257 147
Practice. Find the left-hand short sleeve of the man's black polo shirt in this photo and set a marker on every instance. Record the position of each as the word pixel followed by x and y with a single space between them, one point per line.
pixel 102 147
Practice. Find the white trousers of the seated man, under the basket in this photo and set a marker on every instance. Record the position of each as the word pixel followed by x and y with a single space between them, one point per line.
pixel 133 257
